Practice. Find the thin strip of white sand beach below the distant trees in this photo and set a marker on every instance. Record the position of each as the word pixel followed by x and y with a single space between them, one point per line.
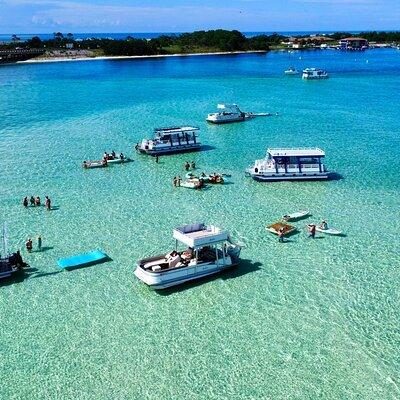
pixel 69 59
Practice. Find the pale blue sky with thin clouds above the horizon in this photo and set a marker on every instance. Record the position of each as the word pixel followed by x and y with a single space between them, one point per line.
pixel 42 16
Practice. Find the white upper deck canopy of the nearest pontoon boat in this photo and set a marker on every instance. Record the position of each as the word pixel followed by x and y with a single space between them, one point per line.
pixel 199 235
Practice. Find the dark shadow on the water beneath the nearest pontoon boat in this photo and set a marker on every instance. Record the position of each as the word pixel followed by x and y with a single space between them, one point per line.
pixel 244 267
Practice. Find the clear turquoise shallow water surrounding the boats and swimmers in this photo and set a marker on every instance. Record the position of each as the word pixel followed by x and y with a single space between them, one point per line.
pixel 307 319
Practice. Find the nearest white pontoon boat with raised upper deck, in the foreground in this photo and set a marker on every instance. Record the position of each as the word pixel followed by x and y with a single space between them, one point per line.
pixel 209 250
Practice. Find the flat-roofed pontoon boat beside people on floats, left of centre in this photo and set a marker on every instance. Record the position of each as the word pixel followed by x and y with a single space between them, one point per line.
pixel 170 140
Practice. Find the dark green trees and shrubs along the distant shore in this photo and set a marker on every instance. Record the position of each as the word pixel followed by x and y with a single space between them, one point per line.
pixel 197 42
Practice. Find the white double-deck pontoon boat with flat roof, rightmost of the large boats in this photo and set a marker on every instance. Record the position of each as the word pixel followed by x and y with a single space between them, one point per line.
pixel 296 164
